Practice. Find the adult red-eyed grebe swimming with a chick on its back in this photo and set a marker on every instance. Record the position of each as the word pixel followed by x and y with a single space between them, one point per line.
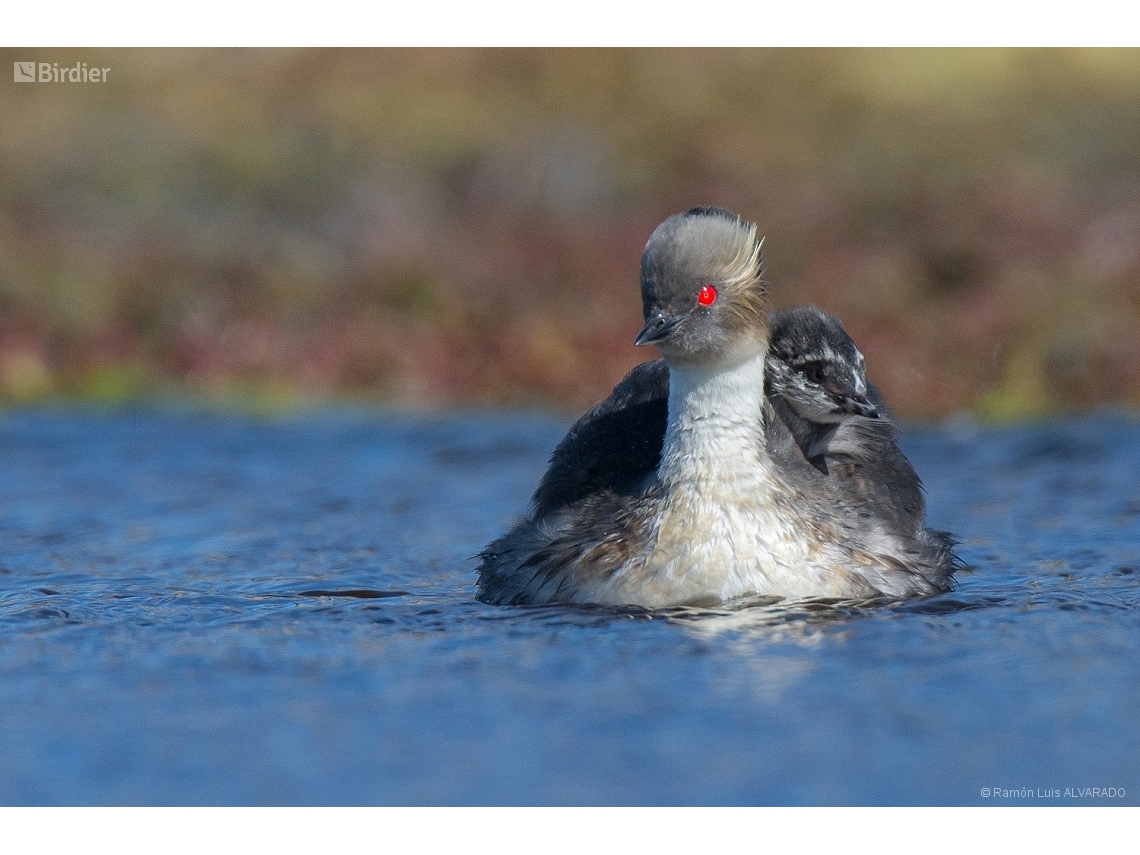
pixel 718 516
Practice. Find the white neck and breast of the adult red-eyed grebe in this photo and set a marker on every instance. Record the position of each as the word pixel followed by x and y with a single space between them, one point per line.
pixel 729 525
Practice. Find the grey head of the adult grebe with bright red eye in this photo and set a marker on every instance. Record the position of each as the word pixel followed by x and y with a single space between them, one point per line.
pixel 703 296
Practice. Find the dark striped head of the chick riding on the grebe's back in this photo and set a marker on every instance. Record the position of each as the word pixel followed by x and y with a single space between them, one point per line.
pixel 816 367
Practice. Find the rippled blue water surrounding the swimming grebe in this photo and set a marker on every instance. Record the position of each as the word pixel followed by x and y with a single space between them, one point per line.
pixel 165 638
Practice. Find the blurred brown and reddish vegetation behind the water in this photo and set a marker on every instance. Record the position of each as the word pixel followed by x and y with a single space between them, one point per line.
pixel 438 227
